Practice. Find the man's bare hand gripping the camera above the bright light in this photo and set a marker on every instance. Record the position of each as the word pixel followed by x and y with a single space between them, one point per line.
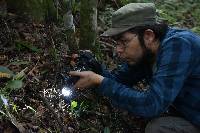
pixel 87 79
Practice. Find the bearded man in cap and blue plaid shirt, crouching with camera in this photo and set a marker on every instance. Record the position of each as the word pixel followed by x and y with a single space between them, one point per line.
pixel 152 49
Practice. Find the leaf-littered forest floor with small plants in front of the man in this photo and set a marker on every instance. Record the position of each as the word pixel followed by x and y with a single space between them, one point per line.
pixel 38 106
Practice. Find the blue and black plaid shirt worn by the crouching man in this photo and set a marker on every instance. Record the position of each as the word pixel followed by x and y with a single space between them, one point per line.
pixel 176 80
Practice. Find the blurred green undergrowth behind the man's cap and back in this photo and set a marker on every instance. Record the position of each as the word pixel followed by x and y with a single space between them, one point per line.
pixel 180 13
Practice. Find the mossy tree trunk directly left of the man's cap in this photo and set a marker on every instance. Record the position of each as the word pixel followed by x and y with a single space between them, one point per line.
pixel 88 27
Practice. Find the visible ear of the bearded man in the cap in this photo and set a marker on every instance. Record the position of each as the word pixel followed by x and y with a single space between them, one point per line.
pixel 149 37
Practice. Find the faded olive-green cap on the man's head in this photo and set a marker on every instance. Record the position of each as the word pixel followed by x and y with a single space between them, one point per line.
pixel 131 15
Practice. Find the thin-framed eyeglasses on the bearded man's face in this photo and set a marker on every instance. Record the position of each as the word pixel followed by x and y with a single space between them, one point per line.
pixel 122 44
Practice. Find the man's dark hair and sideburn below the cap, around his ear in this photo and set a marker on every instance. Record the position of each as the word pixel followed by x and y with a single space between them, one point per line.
pixel 158 29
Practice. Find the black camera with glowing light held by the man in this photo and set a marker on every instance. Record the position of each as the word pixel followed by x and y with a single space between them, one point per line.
pixel 85 61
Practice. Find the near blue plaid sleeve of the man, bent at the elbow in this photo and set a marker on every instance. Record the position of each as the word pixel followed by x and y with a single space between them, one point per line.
pixel 173 65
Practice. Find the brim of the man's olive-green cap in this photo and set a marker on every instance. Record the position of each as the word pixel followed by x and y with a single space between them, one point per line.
pixel 114 31
